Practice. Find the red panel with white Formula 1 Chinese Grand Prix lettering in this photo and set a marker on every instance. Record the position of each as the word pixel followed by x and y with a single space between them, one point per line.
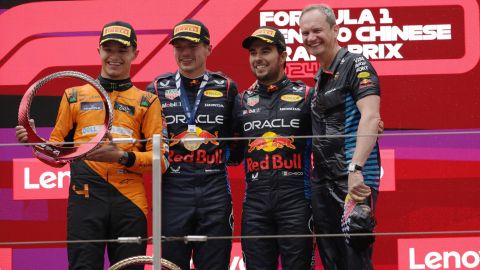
pixel 373 27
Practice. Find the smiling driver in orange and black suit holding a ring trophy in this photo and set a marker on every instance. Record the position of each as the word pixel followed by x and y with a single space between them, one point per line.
pixel 107 196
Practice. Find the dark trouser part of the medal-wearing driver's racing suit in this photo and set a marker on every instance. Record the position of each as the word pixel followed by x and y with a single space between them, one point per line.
pixel 201 207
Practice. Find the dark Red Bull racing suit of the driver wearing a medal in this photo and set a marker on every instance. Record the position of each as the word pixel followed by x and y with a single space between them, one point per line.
pixel 196 195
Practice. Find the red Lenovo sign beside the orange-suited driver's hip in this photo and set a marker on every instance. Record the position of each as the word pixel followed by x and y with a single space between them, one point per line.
pixel 33 180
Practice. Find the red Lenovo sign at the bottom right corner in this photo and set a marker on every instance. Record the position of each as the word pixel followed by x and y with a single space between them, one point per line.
pixel 439 253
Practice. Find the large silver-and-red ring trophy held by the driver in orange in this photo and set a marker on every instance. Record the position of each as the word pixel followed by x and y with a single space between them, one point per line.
pixel 54 154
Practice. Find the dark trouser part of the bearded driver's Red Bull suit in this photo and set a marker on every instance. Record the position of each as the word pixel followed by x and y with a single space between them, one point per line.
pixel 276 212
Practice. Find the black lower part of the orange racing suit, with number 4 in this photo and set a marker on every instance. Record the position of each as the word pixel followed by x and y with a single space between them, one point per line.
pixel 104 214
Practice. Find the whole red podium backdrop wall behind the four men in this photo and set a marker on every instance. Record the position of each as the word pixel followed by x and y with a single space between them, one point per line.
pixel 434 86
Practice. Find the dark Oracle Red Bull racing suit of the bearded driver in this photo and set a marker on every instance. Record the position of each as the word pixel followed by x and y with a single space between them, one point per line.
pixel 277 199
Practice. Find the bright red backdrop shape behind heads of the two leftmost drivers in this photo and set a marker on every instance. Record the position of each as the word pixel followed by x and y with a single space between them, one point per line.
pixel 49 43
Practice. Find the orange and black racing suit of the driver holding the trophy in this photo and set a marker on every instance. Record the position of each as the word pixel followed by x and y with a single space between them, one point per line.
pixel 108 200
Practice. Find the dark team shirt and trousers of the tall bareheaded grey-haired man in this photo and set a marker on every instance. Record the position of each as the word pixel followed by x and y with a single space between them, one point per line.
pixel 334 112
